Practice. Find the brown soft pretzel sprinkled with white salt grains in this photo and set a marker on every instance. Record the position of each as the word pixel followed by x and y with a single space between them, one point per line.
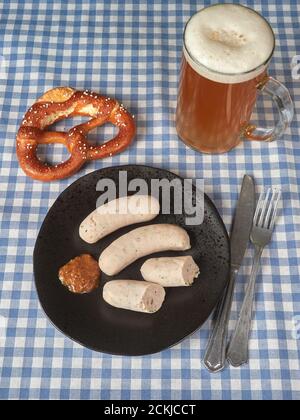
pixel 64 102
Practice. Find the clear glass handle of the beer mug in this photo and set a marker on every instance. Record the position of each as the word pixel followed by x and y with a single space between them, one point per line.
pixel 283 101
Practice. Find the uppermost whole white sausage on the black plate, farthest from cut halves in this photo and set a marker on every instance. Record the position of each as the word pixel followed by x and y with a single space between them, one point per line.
pixel 116 214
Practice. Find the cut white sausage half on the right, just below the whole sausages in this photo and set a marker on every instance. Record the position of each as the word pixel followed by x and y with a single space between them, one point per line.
pixel 170 272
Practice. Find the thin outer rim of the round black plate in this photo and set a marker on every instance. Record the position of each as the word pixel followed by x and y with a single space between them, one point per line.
pixel 123 167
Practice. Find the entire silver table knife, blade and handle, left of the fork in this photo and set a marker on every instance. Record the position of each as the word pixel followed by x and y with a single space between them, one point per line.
pixel 214 358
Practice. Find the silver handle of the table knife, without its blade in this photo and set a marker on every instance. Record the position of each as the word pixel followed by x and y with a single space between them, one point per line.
pixel 215 355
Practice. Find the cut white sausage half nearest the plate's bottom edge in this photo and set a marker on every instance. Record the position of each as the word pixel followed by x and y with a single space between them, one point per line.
pixel 134 295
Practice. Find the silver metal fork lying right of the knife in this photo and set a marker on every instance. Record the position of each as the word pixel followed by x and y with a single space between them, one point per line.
pixel 263 225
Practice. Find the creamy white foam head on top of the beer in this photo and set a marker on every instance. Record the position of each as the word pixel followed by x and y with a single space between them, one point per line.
pixel 228 43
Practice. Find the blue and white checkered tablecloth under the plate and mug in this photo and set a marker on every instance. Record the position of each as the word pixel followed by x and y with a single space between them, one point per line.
pixel 131 50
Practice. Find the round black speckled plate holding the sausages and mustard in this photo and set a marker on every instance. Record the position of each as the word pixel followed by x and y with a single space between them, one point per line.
pixel 90 321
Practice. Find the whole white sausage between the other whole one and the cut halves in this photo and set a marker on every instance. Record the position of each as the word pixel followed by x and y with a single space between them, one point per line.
pixel 140 242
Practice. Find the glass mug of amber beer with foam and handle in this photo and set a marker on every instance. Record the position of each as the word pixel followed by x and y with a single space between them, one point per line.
pixel 226 52
